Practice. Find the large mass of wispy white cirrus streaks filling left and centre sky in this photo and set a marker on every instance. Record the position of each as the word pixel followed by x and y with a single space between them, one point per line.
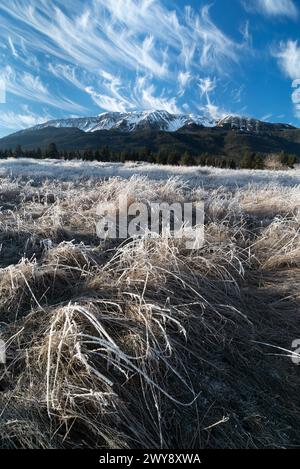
pixel 120 54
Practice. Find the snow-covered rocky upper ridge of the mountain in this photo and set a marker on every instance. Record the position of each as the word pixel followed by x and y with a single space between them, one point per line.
pixel 130 121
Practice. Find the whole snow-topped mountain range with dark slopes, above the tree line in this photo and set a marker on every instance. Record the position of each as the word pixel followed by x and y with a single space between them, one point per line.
pixel 160 130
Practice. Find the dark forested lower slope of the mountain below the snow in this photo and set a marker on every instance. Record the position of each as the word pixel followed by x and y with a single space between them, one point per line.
pixel 195 139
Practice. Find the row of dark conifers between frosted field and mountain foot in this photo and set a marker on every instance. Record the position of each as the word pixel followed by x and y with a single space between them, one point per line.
pixel 249 160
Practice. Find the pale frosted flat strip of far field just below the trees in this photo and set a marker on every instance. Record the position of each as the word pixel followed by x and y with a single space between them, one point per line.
pixel 208 176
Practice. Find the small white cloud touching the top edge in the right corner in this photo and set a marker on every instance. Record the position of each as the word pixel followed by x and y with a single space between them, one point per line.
pixel 273 8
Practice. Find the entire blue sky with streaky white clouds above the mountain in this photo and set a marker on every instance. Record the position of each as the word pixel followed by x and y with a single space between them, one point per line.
pixel 63 59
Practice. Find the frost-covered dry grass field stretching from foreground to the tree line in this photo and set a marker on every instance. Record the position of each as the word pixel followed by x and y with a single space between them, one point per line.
pixel 144 343
